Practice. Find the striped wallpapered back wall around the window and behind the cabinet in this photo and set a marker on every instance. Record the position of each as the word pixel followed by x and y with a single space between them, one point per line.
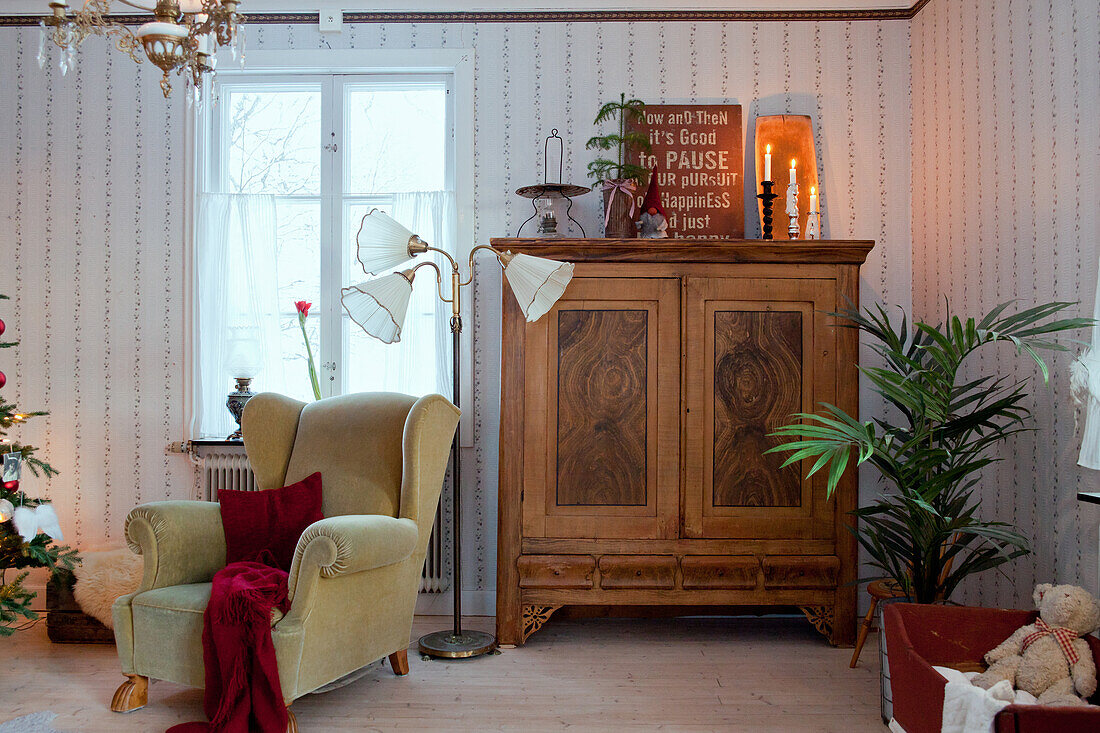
pixel 93 206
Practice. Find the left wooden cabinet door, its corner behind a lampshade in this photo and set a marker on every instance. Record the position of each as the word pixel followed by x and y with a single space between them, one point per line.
pixel 603 406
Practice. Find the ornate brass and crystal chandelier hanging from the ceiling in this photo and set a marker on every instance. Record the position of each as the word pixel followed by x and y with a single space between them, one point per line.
pixel 183 38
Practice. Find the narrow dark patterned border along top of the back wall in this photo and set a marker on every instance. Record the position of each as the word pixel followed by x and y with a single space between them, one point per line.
pixel 545 16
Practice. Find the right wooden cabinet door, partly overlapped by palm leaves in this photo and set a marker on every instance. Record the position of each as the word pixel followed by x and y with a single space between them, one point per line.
pixel 760 352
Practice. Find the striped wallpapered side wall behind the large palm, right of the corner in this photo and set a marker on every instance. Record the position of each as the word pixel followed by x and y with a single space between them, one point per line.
pixel 1006 152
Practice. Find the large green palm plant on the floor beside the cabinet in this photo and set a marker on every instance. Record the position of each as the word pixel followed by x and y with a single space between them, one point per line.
pixel 925 533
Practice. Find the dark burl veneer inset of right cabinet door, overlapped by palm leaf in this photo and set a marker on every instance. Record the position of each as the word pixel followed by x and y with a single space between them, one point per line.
pixel 757 388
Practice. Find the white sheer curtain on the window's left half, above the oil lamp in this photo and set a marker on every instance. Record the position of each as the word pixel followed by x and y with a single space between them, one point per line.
pixel 237 322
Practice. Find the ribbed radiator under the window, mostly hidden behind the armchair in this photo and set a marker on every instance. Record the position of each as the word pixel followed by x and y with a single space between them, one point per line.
pixel 227 467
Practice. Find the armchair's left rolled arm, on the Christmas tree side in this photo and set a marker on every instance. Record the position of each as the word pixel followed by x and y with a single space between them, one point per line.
pixel 182 542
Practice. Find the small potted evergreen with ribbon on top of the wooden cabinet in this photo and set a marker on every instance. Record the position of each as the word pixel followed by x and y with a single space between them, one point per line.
pixel 619 178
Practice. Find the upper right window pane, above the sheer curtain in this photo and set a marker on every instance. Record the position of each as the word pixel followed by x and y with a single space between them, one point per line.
pixel 395 139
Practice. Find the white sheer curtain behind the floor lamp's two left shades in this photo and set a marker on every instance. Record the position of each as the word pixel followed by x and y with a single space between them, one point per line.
pixel 421 363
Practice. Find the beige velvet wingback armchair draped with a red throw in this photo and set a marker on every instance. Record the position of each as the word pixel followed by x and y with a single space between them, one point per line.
pixel 356 574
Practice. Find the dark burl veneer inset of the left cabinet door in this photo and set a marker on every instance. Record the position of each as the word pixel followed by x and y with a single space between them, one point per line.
pixel 602 399
